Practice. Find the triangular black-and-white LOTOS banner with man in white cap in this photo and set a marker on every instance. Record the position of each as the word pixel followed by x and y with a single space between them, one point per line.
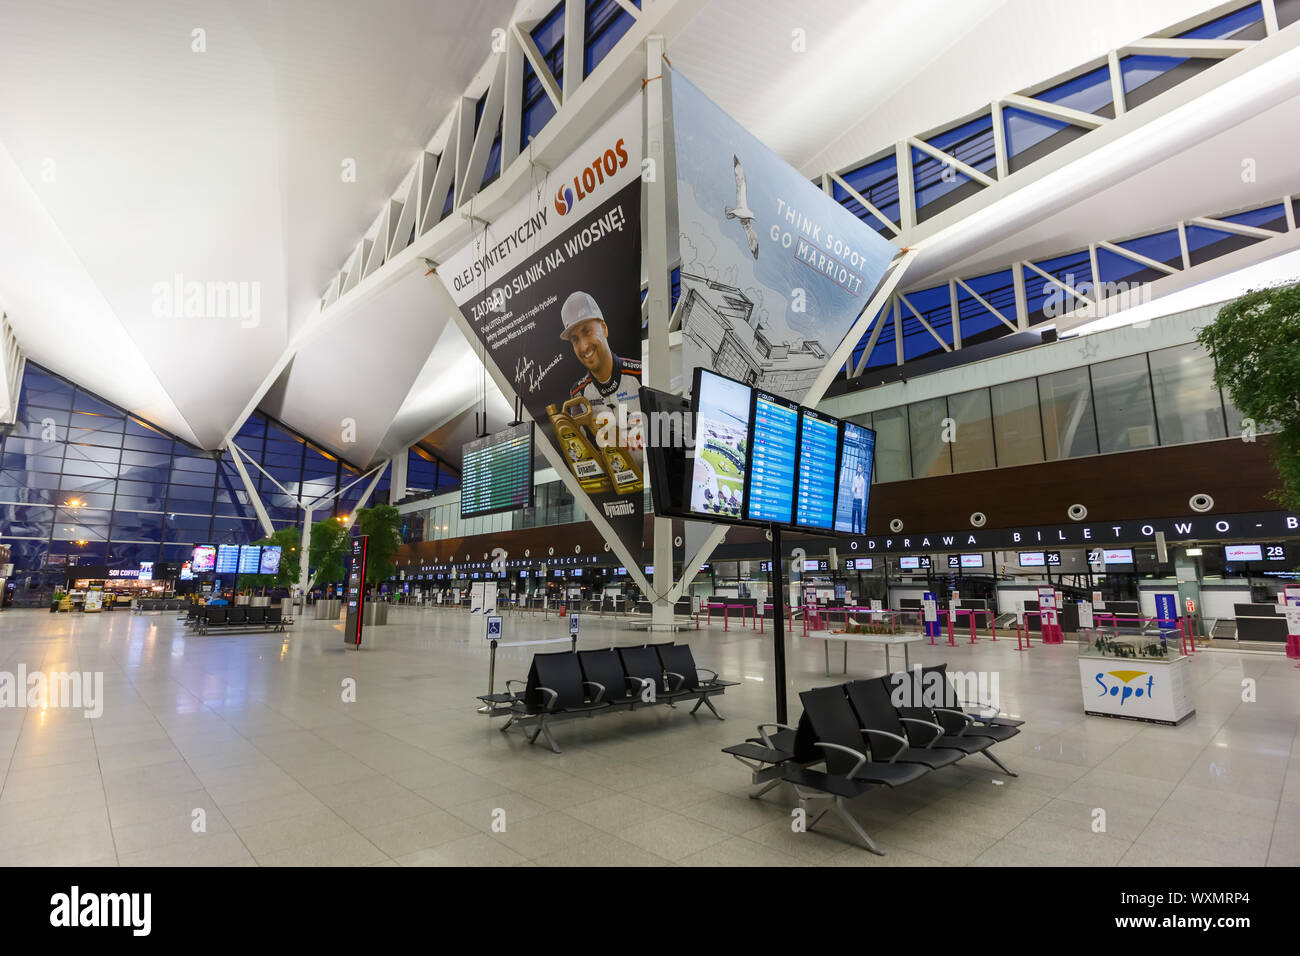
pixel 552 291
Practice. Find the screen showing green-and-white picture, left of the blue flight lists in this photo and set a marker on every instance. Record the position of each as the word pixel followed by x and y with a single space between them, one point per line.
pixel 722 410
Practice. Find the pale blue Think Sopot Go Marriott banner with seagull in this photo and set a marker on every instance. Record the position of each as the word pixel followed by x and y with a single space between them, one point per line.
pixel 774 272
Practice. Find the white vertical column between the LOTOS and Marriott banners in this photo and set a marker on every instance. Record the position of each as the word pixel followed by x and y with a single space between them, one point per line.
pixel 658 296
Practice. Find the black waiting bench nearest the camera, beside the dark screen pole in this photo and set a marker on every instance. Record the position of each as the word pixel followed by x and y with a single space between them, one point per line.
pixel 861 741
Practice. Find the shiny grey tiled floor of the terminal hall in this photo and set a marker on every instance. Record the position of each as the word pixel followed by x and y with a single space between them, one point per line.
pixel 253 732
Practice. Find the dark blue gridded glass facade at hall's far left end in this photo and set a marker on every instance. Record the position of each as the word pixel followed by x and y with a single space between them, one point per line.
pixel 83 483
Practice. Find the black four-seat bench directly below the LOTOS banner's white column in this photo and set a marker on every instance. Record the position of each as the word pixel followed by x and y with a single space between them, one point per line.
pixel 586 684
